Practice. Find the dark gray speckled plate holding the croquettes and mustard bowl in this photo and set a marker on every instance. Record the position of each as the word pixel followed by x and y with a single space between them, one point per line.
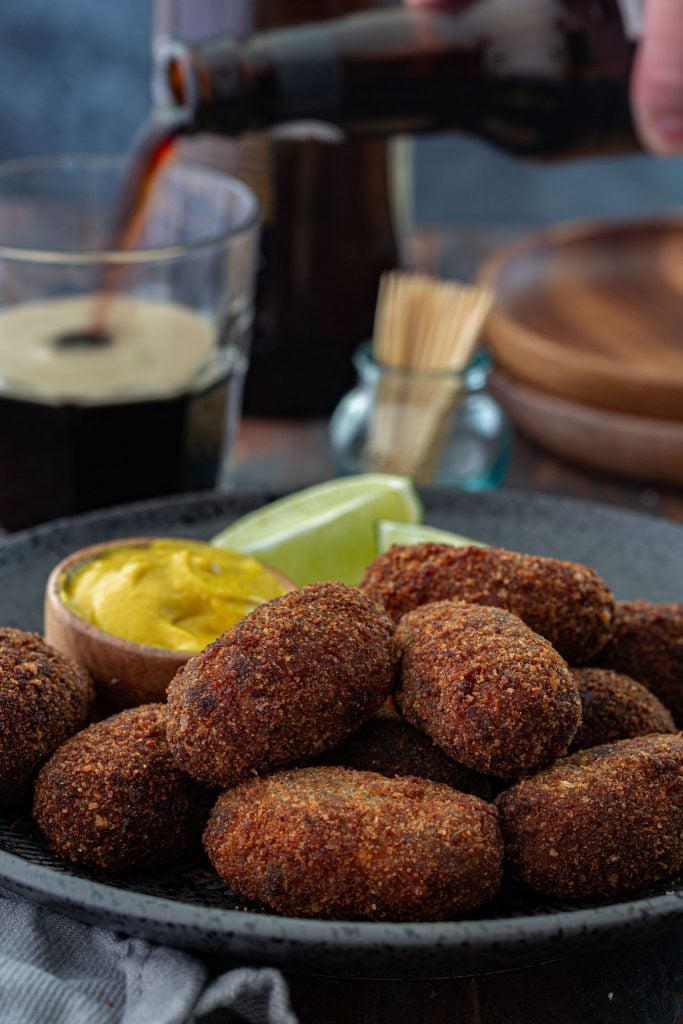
pixel 638 557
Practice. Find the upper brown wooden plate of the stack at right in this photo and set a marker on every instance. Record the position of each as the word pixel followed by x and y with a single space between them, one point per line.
pixel 594 314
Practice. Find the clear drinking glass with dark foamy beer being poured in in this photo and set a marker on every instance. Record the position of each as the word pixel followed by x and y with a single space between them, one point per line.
pixel 121 372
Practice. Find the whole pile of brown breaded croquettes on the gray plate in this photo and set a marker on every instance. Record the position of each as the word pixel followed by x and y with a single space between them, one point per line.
pixel 388 752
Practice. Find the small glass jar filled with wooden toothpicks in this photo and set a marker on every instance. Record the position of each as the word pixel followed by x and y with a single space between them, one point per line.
pixel 421 406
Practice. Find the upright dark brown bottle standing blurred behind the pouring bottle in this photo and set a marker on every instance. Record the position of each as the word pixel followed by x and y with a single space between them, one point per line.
pixel 327 236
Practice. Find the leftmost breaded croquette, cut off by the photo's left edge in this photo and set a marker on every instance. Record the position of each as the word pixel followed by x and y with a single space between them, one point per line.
pixel 45 699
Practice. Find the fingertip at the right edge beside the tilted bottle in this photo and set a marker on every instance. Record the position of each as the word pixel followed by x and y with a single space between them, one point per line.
pixel 657 86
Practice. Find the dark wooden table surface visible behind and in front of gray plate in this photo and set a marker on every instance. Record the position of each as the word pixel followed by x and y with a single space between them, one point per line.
pixel 633 985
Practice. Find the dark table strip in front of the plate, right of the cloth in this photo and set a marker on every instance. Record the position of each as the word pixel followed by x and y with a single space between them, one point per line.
pixel 635 985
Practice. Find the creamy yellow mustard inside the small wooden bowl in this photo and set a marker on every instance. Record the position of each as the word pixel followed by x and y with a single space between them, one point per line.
pixel 172 593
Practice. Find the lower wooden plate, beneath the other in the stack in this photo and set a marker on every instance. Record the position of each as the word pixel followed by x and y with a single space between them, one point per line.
pixel 634 447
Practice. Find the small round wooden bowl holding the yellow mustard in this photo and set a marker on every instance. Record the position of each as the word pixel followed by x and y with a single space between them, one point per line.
pixel 125 673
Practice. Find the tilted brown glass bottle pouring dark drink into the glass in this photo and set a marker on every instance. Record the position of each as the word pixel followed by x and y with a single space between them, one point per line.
pixel 540 78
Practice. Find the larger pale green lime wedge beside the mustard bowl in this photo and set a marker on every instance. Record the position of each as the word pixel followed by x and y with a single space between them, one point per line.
pixel 327 532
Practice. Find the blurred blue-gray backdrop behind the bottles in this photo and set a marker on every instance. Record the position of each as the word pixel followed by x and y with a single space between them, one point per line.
pixel 75 74
